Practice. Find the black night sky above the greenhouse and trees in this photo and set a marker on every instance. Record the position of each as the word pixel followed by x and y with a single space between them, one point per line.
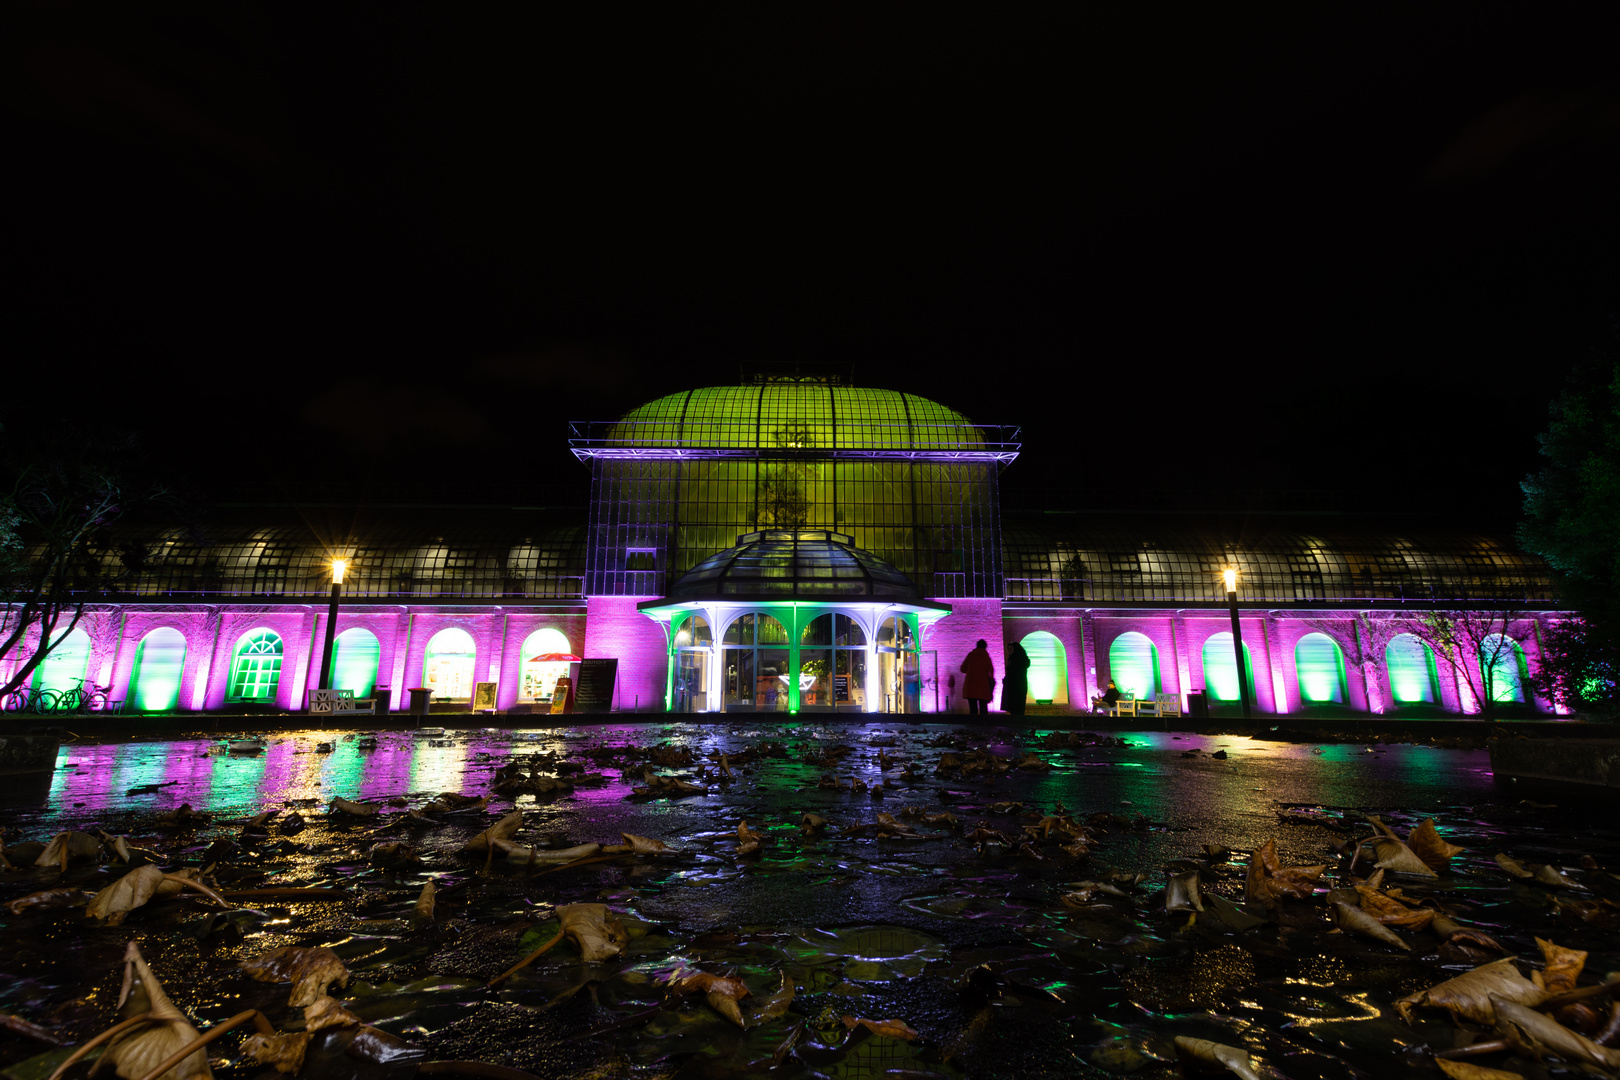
pixel 1258 247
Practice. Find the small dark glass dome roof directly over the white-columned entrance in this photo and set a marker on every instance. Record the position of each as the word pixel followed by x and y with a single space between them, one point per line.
pixel 795 564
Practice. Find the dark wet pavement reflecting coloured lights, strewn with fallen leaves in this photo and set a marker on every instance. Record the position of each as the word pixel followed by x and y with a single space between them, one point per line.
pixel 976 933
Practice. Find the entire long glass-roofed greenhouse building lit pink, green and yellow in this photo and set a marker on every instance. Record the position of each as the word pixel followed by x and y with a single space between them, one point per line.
pixel 803 546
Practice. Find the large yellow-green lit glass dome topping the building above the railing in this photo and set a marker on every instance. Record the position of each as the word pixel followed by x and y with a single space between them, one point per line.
pixel 795 417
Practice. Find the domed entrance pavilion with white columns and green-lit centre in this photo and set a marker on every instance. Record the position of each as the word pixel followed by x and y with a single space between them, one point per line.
pixel 796 621
